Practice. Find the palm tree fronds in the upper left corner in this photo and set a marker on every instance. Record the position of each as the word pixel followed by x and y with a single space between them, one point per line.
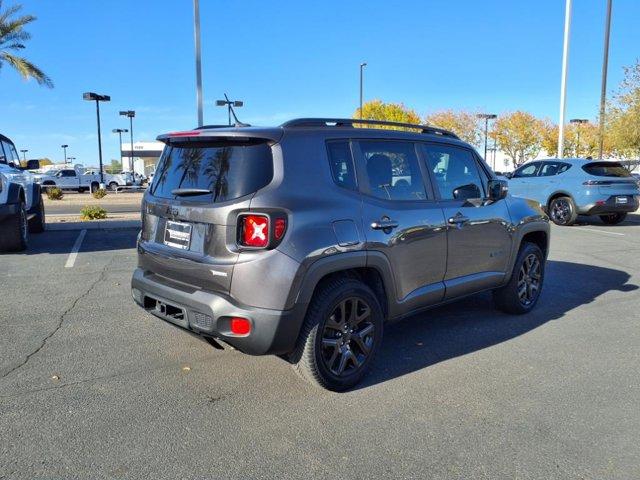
pixel 12 38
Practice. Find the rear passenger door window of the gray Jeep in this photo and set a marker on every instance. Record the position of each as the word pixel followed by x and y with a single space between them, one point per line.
pixel 392 170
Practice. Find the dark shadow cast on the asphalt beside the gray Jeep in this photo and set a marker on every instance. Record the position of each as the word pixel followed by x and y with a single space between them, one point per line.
pixel 473 324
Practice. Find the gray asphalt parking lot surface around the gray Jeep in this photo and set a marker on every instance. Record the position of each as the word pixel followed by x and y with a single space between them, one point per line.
pixel 93 387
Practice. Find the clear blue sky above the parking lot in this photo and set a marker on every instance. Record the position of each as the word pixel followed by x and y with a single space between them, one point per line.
pixel 300 58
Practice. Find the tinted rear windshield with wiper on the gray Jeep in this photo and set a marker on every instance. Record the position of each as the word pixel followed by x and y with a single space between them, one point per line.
pixel 226 170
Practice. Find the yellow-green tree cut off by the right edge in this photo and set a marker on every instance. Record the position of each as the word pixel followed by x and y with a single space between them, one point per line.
pixel 623 119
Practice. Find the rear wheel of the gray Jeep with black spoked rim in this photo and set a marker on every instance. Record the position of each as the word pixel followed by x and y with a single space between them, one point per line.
pixel 330 352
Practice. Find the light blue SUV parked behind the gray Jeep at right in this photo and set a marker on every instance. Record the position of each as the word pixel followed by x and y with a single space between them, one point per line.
pixel 570 187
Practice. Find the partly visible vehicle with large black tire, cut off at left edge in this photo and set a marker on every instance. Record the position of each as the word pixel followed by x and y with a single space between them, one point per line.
pixel 21 205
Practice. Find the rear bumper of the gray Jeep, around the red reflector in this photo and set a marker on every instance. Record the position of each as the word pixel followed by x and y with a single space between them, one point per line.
pixel 208 314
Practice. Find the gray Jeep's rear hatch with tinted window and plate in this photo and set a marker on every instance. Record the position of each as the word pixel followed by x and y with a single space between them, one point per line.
pixel 190 211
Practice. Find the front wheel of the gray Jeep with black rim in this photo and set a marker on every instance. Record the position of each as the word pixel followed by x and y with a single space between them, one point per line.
pixel 528 273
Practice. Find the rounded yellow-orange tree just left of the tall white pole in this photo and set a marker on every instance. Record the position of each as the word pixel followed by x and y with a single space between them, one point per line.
pixel 519 135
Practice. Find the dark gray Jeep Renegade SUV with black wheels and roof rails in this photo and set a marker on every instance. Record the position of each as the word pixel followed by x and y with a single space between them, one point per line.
pixel 303 240
